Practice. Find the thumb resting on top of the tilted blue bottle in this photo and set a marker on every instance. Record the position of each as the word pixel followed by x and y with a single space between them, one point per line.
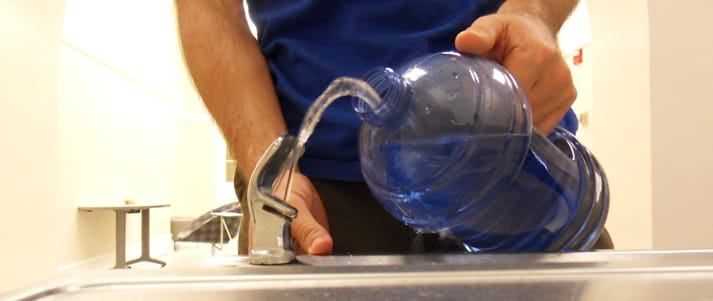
pixel 480 37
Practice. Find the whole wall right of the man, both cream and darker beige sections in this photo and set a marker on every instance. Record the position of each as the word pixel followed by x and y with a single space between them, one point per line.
pixel 651 85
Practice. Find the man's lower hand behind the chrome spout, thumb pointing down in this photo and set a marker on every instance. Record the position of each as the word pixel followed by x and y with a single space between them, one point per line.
pixel 310 230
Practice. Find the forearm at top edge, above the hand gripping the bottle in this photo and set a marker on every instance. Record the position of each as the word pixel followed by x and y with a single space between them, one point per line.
pixel 552 12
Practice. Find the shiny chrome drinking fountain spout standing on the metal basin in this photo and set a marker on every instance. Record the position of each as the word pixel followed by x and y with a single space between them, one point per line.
pixel 270 239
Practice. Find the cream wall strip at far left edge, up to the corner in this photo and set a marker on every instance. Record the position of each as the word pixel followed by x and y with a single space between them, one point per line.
pixel 29 52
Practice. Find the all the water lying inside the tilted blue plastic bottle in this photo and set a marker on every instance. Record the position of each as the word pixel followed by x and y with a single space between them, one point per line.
pixel 439 190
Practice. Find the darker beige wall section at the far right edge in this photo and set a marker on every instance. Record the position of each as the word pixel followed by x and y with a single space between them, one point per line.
pixel 681 110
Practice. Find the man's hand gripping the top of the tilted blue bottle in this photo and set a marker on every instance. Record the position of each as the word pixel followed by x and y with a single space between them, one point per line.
pixel 528 48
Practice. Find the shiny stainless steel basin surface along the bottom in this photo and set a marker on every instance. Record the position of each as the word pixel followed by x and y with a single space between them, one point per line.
pixel 604 275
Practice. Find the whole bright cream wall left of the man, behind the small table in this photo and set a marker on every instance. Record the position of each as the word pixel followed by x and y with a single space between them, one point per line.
pixel 97 108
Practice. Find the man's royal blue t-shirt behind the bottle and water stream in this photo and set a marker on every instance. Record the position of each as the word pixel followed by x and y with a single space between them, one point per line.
pixel 309 43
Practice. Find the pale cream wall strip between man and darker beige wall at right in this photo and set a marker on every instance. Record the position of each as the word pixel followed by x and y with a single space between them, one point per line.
pixel 620 118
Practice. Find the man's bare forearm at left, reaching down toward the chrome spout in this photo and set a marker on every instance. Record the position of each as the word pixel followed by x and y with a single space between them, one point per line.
pixel 231 76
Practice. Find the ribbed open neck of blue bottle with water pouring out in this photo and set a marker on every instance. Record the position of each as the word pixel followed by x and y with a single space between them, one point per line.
pixel 395 95
